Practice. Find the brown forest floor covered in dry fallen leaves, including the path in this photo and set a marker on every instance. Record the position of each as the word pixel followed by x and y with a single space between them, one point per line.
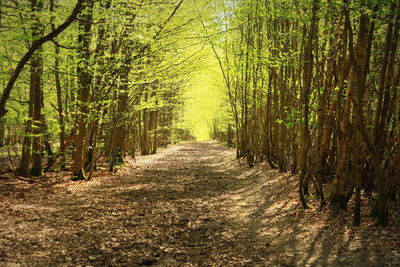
pixel 192 204
